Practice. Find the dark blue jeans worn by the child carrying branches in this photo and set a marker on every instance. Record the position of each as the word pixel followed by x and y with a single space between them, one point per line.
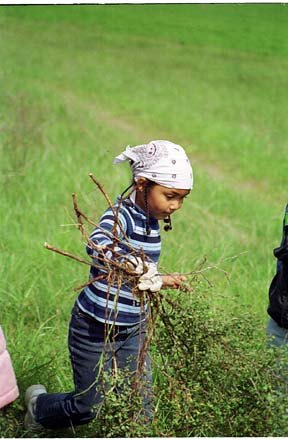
pixel 86 346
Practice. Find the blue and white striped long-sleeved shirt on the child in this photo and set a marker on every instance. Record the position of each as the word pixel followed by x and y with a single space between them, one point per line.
pixel 110 303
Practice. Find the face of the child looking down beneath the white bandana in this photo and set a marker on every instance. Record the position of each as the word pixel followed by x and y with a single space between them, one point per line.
pixel 163 201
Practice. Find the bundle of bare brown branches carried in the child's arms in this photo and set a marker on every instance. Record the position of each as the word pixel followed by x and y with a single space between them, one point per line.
pixel 117 273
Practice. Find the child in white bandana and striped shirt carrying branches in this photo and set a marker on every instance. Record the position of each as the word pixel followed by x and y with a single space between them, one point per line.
pixel 162 178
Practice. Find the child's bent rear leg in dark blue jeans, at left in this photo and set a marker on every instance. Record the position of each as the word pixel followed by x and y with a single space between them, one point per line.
pixel 58 410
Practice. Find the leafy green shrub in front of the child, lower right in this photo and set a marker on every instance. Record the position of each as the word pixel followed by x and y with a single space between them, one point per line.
pixel 215 375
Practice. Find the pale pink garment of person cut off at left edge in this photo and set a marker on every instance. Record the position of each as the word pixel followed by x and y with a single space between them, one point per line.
pixel 8 385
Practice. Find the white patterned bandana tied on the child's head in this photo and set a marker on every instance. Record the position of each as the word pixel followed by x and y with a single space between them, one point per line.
pixel 160 161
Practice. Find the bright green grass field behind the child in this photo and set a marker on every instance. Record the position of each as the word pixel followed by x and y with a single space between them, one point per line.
pixel 78 84
